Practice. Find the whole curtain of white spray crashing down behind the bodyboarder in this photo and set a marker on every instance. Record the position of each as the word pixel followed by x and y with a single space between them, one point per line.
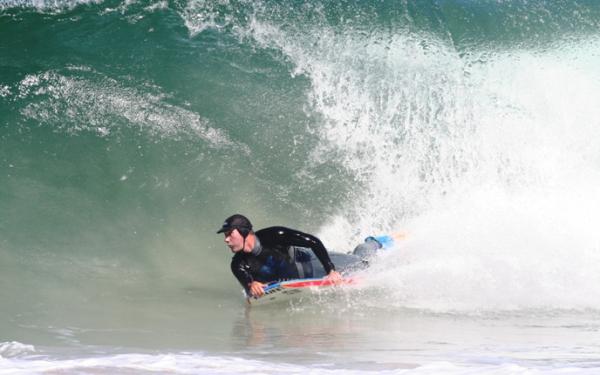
pixel 486 159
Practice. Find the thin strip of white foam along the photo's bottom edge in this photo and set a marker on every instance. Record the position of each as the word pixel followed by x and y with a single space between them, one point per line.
pixel 194 363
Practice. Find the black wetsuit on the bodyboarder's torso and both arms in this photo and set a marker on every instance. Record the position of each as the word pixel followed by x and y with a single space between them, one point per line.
pixel 279 254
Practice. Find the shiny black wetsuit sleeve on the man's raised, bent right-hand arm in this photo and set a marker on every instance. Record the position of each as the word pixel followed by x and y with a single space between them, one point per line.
pixel 291 237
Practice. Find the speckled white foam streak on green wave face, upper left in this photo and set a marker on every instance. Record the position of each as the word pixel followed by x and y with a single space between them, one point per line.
pixel 77 104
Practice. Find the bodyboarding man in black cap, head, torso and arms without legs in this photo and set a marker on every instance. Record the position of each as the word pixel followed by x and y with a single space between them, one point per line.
pixel 271 254
